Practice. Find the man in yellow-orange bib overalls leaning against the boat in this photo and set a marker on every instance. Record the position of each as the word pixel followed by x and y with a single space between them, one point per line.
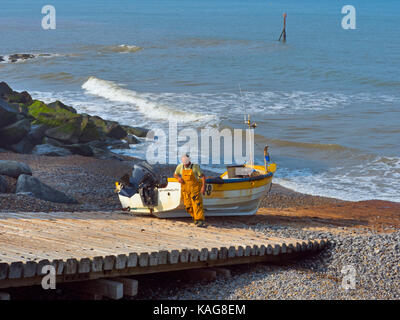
pixel 193 184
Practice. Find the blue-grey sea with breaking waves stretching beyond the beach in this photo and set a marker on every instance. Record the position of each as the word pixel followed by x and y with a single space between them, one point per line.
pixel 327 101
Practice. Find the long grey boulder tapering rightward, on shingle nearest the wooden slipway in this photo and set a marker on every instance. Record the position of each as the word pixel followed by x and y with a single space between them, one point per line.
pixel 33 186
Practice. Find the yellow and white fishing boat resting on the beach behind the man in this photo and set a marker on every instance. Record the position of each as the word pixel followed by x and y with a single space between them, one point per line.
pixel 236 192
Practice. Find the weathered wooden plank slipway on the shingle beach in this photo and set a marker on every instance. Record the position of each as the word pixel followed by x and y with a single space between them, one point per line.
pixel 93 245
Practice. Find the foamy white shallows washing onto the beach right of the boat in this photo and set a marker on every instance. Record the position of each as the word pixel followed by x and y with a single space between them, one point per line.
pixel 378 178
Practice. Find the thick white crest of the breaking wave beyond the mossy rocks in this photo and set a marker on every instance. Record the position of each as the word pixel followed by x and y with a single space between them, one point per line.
pixel 113 92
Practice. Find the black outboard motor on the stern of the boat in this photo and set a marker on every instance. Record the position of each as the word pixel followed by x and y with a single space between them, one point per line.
pixel 146 182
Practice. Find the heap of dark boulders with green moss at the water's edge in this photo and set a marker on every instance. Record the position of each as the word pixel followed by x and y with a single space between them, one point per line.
pixel 55 129
